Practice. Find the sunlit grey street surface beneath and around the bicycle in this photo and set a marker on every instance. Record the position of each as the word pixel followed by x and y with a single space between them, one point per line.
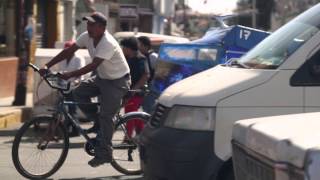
pixel 75 166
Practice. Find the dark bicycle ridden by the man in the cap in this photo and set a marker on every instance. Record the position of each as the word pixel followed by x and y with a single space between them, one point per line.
pixel 47 133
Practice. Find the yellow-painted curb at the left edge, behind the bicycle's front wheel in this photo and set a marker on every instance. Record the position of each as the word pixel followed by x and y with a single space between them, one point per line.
pixel 11 116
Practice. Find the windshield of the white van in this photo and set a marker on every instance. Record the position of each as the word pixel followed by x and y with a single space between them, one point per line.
pixel 275 49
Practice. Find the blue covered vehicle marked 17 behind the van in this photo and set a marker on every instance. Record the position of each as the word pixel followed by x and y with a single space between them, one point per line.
pixel 178 61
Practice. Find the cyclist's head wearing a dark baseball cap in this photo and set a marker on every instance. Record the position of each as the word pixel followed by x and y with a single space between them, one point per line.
pixel 96 24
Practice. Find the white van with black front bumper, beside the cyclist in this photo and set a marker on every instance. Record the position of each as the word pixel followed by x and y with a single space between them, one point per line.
pixel 189 135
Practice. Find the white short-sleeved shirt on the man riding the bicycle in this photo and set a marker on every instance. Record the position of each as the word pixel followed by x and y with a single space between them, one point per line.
pixel 114 65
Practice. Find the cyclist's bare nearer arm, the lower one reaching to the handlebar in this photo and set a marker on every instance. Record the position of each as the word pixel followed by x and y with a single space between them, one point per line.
pixel 84 70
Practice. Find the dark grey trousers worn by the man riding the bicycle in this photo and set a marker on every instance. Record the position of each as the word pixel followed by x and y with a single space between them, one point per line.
pixel 110 94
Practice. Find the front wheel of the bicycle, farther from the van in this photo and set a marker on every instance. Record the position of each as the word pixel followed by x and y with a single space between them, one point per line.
pixel 38 153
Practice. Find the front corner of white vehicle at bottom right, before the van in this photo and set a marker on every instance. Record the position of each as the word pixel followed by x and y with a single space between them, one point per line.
pixel 283 147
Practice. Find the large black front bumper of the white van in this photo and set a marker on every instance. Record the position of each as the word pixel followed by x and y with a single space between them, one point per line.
pixel 173 154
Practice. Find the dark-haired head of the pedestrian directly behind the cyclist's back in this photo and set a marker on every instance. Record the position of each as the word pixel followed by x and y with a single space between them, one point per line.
pixel 129 46
